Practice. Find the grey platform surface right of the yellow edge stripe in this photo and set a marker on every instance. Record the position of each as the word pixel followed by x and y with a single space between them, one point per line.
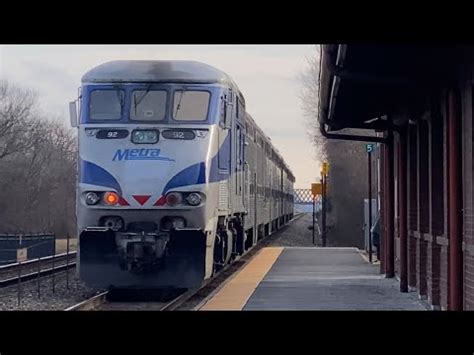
pixel 327 279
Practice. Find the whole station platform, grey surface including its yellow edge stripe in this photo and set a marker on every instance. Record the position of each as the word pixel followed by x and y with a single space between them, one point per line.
pixel 311 278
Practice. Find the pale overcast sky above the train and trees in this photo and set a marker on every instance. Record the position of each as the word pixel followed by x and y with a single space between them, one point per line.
pixel 266 75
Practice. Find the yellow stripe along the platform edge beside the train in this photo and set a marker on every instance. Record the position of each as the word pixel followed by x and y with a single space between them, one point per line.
pixel 234 295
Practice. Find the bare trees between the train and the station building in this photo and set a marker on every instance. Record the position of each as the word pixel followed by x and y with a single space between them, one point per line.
pixel 348 173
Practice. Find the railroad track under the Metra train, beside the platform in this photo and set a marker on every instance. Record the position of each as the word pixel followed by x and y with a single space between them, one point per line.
pixel 101 302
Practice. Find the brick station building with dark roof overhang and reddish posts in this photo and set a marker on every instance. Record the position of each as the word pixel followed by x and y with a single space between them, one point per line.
pixel 416 103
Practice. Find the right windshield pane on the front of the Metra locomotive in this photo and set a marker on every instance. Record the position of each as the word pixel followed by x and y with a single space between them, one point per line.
pixel 190 105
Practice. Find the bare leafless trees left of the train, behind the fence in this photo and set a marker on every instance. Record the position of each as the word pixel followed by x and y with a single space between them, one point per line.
pixel 37 167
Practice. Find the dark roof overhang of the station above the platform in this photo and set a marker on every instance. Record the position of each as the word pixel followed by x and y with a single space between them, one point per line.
pixel 361 84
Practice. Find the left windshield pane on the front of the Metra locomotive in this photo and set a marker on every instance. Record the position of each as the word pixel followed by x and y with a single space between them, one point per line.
pixel 106 104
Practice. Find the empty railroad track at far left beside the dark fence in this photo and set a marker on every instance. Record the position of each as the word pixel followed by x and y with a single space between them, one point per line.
pixel 29 270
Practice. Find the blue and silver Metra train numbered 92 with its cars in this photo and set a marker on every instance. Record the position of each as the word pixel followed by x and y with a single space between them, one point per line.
pixel 175 178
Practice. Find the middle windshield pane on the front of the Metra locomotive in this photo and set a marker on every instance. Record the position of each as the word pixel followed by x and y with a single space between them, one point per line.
pixel 148 105
